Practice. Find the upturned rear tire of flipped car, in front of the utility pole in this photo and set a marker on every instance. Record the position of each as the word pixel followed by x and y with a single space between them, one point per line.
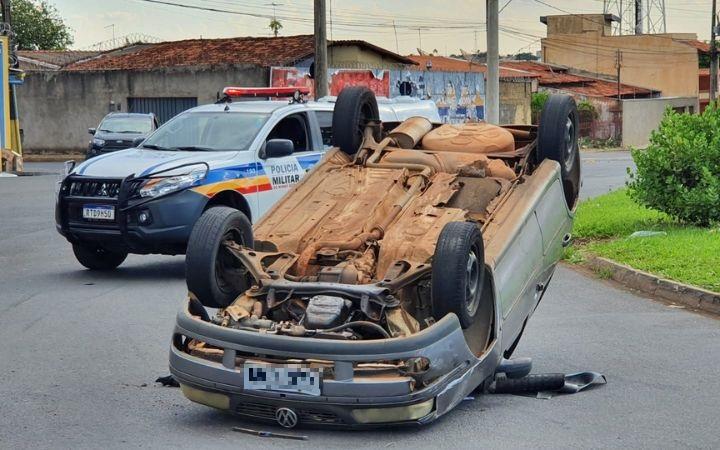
pixel 354 108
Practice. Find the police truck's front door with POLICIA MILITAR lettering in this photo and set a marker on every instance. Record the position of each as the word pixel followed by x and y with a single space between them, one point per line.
pixel 286 171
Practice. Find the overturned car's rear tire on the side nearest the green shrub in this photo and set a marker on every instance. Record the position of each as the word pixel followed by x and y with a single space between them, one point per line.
pixel 558 135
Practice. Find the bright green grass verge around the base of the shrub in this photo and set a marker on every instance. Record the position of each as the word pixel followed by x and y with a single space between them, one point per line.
pixel 686 254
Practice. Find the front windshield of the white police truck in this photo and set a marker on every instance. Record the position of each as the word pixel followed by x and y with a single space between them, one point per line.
pixel 208 131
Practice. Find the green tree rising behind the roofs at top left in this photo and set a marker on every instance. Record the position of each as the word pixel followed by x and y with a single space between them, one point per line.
pixel 38 26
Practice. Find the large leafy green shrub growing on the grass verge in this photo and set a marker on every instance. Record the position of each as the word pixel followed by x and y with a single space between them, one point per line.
pixel 679 172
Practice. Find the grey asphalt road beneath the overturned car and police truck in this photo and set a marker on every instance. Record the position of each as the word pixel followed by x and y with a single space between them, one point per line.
pixel 79 353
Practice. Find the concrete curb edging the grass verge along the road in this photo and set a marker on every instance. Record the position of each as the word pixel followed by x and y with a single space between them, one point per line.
pixel 655 286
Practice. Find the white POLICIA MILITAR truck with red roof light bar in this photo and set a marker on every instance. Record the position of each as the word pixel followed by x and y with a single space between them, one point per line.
pixel 241 156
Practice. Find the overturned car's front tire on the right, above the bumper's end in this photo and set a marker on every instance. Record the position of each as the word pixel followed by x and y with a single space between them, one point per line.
pixel 458 272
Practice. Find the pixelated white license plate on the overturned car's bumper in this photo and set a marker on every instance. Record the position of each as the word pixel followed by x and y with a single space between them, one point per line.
pixel 286 378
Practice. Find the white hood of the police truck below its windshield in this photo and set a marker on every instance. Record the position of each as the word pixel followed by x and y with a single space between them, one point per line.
pixel 142 162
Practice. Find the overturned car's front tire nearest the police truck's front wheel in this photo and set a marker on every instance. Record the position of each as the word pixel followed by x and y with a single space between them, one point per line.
pixel 212 274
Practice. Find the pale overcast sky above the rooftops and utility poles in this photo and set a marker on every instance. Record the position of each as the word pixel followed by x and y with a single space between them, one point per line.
pixel 442 25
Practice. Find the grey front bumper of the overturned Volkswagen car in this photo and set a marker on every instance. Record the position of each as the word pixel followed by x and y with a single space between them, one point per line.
pixel 345 400
